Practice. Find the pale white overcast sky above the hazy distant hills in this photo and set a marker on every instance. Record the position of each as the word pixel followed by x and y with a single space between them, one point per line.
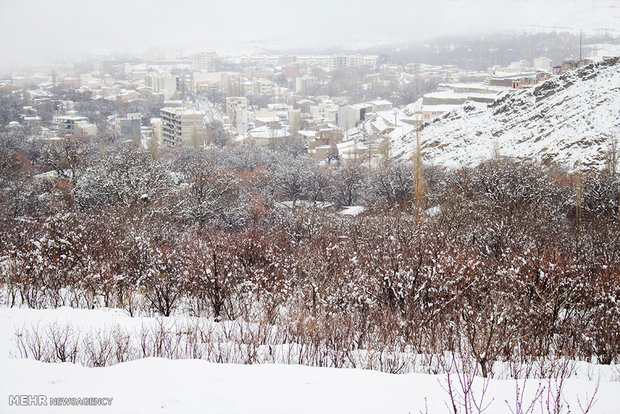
pixel 35 30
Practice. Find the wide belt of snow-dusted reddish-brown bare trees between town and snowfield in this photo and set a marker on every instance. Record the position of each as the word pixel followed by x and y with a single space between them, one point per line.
pixel 506 261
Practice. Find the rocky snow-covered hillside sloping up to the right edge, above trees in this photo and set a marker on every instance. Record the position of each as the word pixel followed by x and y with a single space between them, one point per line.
pixel 567 119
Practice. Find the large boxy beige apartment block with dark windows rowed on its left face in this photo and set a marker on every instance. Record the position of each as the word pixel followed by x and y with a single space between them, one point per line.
pixel 181 126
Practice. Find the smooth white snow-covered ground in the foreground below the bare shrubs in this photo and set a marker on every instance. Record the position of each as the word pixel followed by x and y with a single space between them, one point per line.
pixel 187 386
